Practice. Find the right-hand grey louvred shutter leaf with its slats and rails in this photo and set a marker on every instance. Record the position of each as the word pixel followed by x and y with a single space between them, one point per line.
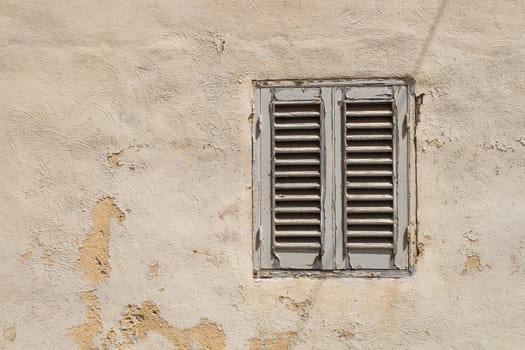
pixel 371 149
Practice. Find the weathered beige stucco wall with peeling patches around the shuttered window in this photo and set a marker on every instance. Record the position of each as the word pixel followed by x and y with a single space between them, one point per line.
pixel 125 137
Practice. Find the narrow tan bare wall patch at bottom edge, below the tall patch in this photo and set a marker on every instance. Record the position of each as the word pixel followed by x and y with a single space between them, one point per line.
pixel 85 334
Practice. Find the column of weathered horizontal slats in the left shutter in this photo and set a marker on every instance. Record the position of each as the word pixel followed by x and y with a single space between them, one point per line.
pixel 297 184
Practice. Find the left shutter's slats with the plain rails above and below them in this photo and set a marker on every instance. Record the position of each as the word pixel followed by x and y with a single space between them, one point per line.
pixel 297 180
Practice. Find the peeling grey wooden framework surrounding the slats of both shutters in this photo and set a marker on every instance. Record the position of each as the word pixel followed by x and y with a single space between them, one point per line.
pixel 334 260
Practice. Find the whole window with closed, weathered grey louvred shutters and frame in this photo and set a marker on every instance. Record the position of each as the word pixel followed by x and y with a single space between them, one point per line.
pixel 331 177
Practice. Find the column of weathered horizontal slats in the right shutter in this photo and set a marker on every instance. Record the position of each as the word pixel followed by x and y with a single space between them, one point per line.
pixel 369 176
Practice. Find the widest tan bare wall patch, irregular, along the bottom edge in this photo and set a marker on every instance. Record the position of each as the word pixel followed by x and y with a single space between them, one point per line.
pixel 138 322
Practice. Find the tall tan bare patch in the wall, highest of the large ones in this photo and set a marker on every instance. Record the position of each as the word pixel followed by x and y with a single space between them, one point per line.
pixel 94 253
